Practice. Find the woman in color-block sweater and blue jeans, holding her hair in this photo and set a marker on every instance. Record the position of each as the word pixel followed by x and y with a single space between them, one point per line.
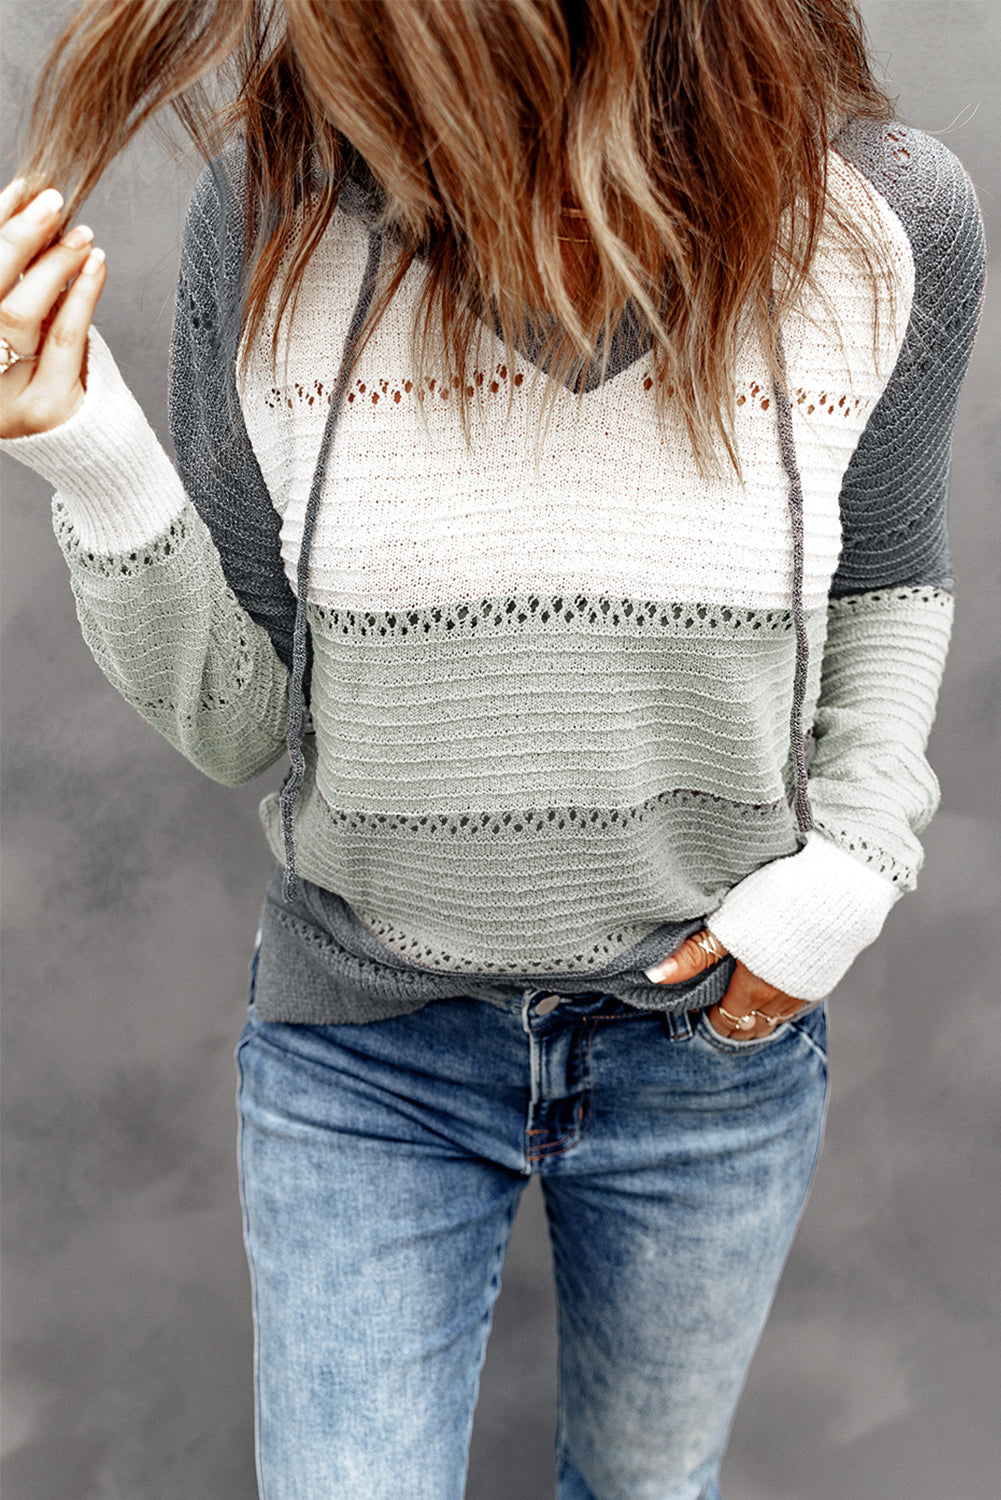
pixel 619 599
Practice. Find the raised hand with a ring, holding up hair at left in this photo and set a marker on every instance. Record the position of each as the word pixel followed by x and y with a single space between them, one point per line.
pixel 41 322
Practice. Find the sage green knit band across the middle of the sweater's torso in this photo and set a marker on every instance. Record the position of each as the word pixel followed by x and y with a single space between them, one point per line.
pixel 550 718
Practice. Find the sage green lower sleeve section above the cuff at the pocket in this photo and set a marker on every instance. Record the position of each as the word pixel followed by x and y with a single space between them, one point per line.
pixel 873 790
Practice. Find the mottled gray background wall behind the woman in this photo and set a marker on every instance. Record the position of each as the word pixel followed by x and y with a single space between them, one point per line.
pixel 131 893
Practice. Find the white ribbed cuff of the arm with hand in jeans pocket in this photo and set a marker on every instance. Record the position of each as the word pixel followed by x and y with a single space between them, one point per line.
pixel 799 923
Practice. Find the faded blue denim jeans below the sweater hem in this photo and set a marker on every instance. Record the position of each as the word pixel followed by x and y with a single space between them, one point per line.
pixel 382 1166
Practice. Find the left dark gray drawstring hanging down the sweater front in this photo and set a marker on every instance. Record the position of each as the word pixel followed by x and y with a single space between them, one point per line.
pixel 293 782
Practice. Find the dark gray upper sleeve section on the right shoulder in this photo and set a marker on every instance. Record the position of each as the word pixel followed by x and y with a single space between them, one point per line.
pixel 895 491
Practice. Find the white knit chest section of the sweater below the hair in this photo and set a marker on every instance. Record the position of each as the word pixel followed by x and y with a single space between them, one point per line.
pixel 410 517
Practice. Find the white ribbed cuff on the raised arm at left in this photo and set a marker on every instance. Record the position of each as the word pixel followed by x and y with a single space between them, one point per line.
pixel 118 485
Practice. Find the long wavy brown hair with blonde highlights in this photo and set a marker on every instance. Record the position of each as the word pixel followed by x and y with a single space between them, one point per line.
pixel 684 142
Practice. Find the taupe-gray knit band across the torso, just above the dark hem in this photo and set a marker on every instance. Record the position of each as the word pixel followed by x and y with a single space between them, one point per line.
pixel 546 901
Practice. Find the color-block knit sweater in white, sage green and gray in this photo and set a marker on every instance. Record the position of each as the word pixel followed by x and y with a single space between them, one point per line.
pixel 552 698
